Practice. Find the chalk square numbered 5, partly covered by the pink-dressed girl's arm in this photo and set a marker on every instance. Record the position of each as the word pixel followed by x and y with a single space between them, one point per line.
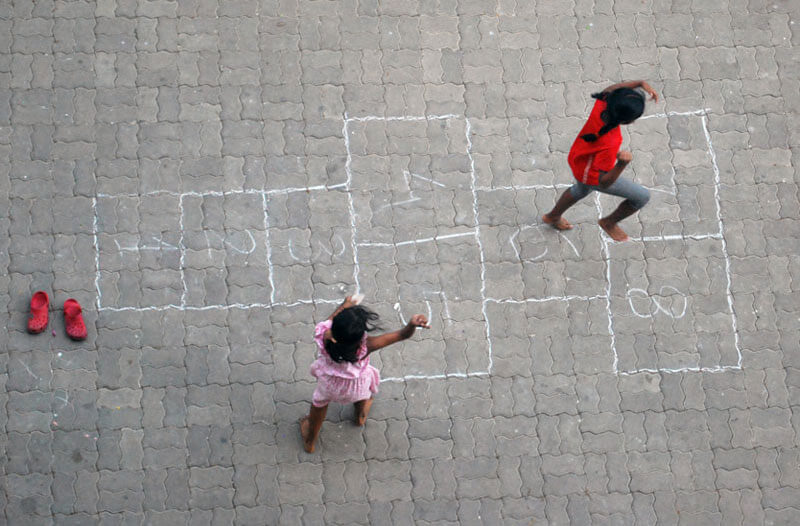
pixel 438 278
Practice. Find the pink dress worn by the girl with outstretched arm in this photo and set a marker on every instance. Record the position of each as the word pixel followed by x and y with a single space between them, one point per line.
pixel 343 382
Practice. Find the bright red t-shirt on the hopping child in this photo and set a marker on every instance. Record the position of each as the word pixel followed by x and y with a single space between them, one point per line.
pixel 587 159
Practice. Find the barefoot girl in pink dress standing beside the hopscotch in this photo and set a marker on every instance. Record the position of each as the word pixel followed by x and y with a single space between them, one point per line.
pixel 342 369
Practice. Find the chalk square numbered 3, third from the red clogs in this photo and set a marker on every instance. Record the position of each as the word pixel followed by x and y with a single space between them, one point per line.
pixel 310 246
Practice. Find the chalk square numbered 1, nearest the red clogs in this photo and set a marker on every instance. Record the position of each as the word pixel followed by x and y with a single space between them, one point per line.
pixel 139 251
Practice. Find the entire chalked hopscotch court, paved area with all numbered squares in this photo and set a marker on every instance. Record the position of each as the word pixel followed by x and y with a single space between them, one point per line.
pixel 412 228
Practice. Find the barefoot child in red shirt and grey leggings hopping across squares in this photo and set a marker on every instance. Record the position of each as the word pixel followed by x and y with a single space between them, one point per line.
pixel 593 155
